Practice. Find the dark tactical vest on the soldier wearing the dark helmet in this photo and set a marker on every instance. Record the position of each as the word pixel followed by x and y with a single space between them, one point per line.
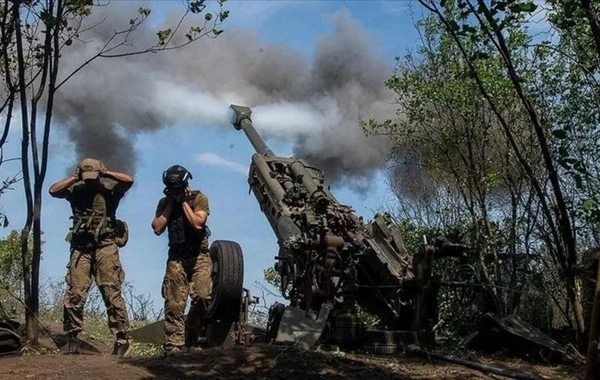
pixel 181 233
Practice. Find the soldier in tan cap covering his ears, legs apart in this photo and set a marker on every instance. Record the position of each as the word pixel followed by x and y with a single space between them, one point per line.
pixel 94 193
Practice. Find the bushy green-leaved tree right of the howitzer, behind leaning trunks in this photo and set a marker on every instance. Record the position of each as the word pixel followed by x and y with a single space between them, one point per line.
pixel 453 170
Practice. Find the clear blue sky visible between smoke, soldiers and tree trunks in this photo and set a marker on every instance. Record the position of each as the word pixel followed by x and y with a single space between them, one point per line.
pixel 218 157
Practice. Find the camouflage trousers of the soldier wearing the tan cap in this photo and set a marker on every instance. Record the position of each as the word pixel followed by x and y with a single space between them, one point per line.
pixel 104 266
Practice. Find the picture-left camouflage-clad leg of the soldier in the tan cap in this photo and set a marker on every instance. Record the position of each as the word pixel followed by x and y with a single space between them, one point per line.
pixel 79 280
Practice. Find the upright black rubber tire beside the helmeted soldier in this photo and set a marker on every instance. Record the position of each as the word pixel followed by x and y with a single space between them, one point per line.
pixel 228 281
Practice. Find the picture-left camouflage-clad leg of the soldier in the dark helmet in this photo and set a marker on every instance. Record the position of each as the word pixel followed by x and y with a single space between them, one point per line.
pixel 174 292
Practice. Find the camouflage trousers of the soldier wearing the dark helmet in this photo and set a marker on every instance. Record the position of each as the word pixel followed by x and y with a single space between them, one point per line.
pixel 186 275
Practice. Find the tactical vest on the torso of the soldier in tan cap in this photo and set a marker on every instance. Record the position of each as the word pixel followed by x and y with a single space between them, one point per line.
pixel 94 214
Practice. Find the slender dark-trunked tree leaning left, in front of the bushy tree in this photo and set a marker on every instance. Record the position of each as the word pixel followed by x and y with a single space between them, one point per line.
pixel 491 23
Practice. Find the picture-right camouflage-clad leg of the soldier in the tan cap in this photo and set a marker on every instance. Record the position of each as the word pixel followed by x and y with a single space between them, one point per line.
pixel 109 278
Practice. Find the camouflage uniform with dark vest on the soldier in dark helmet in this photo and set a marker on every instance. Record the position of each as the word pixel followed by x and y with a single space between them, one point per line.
pixel 188 272
